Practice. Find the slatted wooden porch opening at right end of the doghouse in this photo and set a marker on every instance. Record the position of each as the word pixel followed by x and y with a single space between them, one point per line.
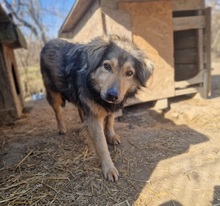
pixel 192 32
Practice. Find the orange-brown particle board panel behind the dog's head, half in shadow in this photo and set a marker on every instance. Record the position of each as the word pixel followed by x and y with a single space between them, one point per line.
pixel 152 31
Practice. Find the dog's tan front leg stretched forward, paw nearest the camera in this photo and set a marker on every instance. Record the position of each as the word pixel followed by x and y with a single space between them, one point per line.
pixel 96 132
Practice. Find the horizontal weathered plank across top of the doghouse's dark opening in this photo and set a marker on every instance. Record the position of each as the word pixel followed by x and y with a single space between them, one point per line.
pixel 186 23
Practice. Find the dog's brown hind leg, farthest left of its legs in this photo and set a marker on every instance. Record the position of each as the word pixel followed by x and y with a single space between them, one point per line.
pixel 56 101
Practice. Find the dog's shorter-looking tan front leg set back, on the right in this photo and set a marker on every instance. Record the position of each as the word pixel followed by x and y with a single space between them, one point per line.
pixel 111 136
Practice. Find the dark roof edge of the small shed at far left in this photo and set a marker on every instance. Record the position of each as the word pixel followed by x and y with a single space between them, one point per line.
pixel 10 34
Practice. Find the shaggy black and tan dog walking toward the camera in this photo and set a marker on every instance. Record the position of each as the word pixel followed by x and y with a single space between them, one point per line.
pixel 98 78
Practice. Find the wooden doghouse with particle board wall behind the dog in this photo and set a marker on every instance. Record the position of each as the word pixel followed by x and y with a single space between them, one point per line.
pixel 174 33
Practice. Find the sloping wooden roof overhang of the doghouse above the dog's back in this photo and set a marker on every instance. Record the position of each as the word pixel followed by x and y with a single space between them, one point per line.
pixel 77 11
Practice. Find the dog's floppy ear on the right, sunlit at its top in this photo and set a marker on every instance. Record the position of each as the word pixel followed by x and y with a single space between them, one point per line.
pixel 144 70
